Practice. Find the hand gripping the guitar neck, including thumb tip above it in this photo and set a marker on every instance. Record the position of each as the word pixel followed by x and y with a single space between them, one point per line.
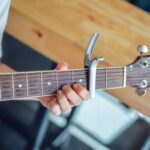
pixel 67 97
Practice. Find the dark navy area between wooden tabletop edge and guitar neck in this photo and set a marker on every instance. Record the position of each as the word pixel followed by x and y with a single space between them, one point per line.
pixel 23 58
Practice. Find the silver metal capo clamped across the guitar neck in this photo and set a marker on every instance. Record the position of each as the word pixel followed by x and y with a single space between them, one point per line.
pixel 91 64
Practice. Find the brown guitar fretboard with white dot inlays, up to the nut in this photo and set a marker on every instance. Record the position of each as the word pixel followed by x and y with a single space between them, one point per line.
pixel 46 83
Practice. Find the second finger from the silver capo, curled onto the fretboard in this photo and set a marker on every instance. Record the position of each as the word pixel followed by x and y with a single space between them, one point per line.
pixel 73 97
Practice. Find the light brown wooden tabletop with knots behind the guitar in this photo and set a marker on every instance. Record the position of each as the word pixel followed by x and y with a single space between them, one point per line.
pixel 61 29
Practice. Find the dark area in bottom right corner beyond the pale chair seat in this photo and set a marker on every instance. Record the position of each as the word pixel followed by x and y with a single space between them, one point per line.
pixel 133 138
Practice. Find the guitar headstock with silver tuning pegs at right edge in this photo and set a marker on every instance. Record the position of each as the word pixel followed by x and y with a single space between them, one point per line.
pixel 138 73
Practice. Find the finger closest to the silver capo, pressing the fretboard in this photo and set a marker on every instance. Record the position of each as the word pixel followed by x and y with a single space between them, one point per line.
pixel 81 91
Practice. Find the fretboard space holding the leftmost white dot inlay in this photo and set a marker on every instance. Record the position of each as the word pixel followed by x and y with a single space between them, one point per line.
pixel 20 85
